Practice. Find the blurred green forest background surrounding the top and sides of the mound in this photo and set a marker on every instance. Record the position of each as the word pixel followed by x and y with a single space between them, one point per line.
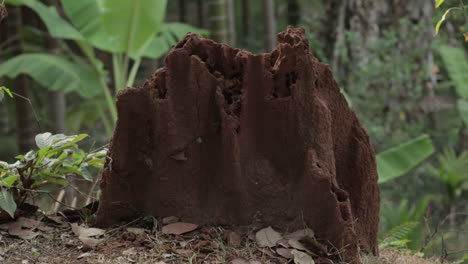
pixel 408 86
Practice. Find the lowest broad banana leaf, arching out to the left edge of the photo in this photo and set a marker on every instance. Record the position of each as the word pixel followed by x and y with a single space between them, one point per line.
pixel 54 73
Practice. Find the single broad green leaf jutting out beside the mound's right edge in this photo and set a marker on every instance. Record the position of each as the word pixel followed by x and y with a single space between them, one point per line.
pixel 399 160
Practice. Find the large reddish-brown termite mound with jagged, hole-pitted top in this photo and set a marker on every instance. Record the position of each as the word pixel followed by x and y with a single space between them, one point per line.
pixel 221 135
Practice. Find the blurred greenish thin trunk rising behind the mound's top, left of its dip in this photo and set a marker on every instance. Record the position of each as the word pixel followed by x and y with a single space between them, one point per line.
pixel 217 20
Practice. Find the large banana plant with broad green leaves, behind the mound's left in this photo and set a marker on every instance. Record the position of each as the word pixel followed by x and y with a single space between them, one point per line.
pixel 129 30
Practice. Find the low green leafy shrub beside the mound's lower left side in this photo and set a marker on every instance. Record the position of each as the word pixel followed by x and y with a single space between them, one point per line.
pixel 57 158
